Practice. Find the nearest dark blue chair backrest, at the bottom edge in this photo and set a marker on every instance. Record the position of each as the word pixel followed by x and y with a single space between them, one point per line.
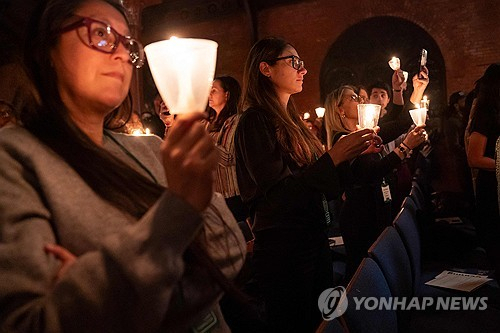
pixel 369 281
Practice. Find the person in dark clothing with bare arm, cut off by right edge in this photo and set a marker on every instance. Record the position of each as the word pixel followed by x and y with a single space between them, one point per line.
pixel 484 132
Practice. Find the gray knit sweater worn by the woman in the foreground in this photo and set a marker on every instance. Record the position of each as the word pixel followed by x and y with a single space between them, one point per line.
pixel 130 275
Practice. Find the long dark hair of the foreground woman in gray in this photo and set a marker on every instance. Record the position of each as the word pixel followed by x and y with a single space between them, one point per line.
pixel 109 177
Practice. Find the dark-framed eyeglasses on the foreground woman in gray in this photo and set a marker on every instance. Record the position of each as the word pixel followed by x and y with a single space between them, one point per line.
pixel 102 37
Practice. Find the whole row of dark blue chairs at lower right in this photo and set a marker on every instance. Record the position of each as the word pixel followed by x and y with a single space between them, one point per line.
pixel 393 267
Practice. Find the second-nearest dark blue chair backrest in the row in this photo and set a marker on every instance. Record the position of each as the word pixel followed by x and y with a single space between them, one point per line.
pixel 390 254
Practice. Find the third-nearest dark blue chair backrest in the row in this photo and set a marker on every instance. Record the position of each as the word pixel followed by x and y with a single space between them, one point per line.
pixel 406 225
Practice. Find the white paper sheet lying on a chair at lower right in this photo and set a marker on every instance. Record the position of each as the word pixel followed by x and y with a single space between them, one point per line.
pixel 458 281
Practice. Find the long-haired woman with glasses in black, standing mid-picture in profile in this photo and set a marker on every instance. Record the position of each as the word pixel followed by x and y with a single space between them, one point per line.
pixel 286 179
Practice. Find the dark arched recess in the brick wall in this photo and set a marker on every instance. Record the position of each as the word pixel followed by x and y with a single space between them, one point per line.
pixel 360 55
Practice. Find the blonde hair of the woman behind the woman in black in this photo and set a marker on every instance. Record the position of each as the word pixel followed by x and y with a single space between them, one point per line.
pixel 333 120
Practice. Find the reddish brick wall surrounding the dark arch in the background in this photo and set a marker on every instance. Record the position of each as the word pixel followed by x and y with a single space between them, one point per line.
pixel 467 33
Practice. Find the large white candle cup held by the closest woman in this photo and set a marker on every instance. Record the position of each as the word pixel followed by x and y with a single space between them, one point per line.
pixel 183 70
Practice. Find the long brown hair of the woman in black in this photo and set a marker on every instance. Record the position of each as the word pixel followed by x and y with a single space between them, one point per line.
pixel 258 91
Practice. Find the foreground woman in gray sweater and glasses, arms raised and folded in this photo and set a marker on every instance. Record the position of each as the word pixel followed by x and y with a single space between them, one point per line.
pixel 138 256
